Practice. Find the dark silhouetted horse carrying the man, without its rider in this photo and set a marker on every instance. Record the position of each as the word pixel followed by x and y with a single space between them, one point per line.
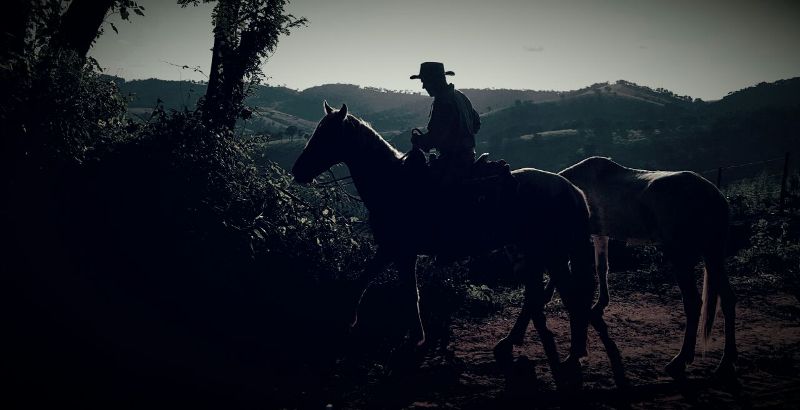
pixel 546 218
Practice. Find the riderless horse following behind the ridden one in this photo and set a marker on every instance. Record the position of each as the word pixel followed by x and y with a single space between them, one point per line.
pixel 683 212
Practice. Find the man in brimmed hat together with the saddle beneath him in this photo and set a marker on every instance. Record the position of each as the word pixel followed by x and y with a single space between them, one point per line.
pixel 457 186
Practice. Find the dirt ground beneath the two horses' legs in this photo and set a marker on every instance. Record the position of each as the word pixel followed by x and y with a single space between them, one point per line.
pixel 648 328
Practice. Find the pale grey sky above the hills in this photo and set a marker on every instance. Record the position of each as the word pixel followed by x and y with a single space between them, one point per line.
pixel 700 48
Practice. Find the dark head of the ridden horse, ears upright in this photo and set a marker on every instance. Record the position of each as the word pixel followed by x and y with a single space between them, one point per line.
pixel 324 149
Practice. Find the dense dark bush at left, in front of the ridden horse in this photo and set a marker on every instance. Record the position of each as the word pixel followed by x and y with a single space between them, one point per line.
pixel 154 260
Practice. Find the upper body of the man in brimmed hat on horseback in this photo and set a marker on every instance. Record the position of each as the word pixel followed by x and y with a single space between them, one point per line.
pixel 452 126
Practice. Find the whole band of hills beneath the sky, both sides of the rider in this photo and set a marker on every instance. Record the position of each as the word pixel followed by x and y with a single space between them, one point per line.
pixel 639 126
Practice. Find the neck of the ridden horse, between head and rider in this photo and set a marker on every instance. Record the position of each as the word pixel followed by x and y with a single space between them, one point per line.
pixel 374 166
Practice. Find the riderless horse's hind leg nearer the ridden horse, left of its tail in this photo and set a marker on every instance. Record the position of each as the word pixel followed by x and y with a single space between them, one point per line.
pixel 683 268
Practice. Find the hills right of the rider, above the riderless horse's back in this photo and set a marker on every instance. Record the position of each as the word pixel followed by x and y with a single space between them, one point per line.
pixel 647 128
